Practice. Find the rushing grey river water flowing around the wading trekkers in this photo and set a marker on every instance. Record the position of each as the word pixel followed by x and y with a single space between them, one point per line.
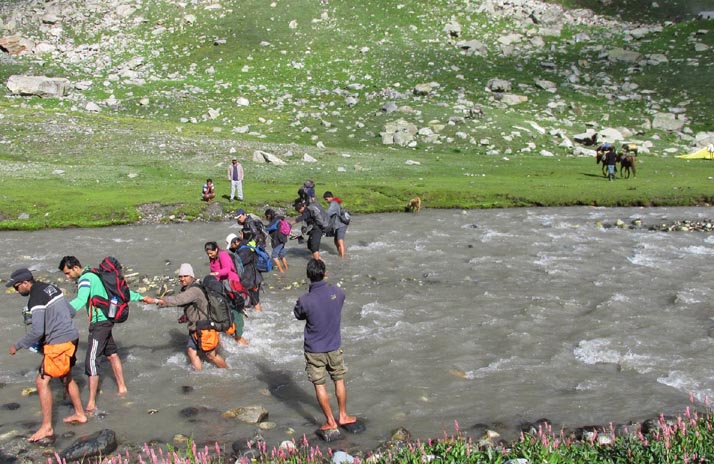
pixel 484 316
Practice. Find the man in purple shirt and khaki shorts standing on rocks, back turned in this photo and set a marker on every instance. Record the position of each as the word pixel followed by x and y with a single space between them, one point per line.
pixel 321 309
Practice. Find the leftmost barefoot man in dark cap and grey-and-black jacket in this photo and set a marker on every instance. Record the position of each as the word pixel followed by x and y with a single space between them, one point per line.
pixel 53 328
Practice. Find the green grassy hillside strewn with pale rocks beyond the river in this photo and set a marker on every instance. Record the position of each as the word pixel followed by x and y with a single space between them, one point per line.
pixel 466 103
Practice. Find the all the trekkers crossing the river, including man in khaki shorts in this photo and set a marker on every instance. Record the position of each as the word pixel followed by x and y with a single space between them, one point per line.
pixel 234 280
